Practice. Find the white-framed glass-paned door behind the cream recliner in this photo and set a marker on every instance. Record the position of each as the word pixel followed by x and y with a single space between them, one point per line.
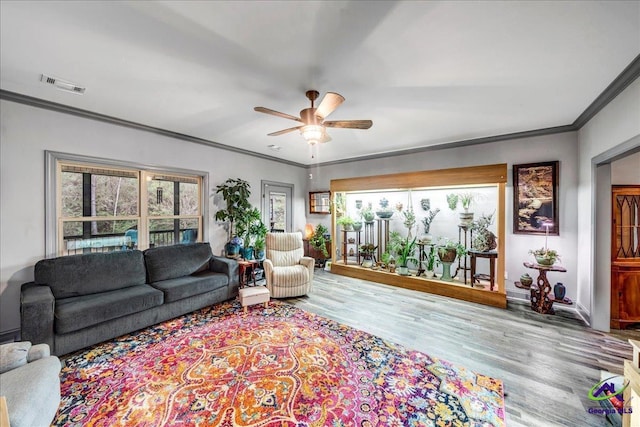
pixel 277 206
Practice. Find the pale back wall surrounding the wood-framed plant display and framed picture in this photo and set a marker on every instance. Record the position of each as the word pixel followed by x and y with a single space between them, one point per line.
pixel 562 147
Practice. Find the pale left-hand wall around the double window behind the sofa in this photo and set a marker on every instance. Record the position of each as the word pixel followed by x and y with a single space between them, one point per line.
pixel 27 132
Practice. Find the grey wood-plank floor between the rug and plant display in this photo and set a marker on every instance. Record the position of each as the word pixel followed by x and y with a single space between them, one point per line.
pixel 548 363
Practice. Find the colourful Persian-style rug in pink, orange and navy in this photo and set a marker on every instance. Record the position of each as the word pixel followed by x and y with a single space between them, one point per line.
pixel 279 366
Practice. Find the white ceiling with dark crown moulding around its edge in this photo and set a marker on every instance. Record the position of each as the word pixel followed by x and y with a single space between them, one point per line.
pixel 426 73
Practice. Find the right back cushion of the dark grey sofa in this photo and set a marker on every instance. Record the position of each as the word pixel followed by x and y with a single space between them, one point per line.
pixel 171 262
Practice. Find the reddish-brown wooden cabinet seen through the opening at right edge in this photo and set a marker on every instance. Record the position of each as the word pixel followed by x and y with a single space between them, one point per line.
pixel 625 256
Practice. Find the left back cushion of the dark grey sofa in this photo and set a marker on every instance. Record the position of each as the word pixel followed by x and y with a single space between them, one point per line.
pixel 77 275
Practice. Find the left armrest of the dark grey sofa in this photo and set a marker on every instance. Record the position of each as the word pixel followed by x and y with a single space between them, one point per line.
pixel 37 313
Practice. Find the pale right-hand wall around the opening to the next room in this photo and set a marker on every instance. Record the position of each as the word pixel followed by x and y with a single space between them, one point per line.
pixel 616 125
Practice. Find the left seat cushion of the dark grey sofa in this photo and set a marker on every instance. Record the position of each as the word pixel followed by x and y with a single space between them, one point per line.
pixel 72 314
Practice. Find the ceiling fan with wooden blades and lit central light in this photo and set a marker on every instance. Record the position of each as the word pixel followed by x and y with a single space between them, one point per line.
pixel 313 127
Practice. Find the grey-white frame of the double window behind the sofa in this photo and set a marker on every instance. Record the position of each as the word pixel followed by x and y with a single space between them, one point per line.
pixel 53 194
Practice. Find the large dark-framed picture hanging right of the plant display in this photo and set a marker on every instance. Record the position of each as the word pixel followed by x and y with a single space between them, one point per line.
pixel 535 198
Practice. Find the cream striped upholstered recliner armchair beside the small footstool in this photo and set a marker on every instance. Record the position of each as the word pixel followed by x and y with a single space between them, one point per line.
pixel 288 272
